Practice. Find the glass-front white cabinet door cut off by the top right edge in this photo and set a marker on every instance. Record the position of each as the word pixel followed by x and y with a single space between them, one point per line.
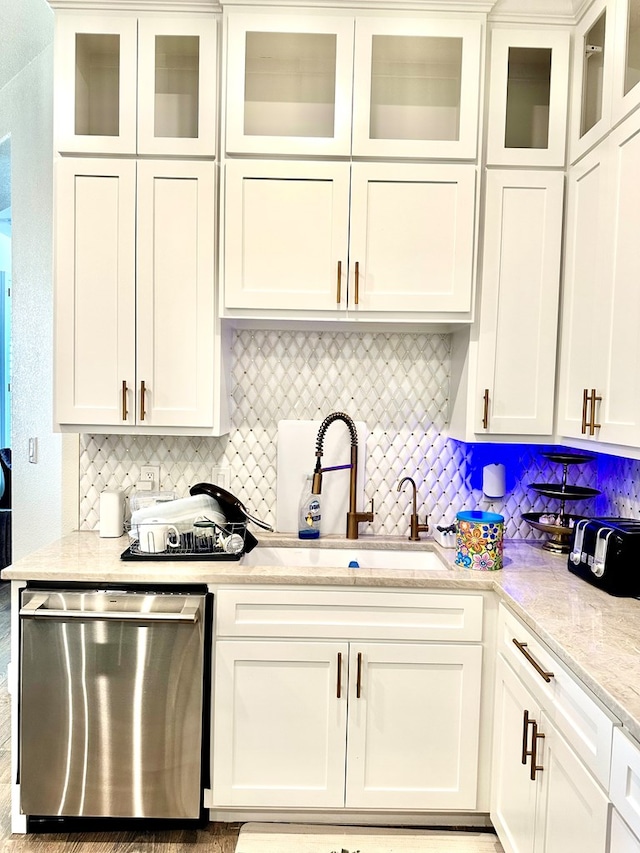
pixel 626 70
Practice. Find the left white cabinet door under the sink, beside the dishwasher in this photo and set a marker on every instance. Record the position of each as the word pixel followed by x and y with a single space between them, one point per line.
pixel 280 716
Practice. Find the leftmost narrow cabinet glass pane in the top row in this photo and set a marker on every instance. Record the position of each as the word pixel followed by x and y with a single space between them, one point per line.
pixel 97 84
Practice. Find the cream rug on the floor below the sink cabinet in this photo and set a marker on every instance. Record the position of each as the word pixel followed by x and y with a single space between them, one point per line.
pixel 290 838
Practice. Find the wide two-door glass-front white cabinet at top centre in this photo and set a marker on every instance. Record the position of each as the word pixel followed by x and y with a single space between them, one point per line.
pixel 298 83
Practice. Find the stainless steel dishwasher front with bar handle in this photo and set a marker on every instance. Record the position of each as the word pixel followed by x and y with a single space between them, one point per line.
pixel 111 703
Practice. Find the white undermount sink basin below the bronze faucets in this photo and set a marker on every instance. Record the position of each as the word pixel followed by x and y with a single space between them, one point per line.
pixel 341 557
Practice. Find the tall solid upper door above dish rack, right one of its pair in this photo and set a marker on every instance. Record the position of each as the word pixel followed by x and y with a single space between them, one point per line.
pixel 175 293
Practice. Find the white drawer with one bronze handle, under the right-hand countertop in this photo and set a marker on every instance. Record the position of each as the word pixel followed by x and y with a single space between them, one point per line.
pixel 565 701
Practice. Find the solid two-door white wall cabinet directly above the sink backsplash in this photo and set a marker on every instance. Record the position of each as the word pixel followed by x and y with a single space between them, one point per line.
pixel 372 238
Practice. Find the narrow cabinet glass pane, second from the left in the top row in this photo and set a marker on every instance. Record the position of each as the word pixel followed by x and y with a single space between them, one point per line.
pixel 176 92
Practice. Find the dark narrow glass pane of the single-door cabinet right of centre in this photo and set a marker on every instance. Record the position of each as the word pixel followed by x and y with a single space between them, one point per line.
pixel 528 91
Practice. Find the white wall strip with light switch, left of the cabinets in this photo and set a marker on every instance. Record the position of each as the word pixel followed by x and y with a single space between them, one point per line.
pixel 26 113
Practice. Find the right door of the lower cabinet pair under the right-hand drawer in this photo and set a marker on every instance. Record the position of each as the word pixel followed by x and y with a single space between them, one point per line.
pixel 573 810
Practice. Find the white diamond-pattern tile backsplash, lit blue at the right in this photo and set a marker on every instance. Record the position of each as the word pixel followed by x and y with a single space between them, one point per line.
pixel 398 384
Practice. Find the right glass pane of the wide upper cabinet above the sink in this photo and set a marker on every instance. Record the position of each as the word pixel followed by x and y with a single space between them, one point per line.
pixel 415 87
